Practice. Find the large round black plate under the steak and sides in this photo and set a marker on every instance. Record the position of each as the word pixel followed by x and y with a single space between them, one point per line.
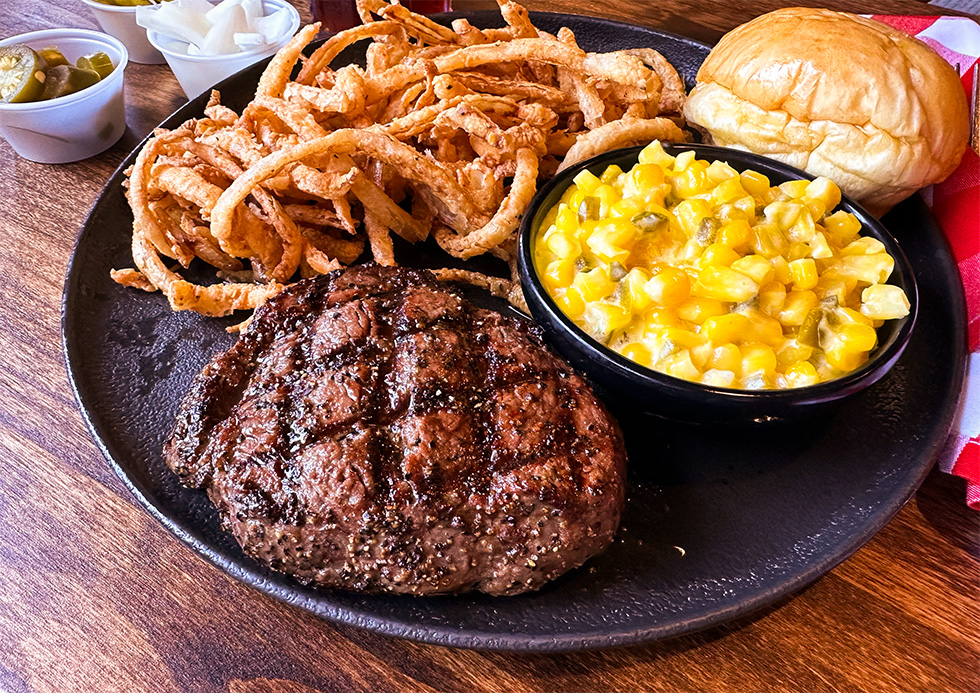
pixel 718 523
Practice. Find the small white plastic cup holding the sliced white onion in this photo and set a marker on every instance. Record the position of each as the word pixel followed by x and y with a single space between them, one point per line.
pixel 198 73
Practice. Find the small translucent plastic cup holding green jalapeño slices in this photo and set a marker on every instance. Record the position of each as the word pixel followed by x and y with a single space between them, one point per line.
pixel 76 126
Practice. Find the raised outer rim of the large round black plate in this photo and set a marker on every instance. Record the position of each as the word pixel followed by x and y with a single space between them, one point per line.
pixel 283 588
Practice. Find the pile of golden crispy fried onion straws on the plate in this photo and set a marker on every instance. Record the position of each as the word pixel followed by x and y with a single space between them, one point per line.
pixel 442 131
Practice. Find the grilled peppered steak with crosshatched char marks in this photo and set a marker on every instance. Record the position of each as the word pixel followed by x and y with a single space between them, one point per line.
pixel 372 430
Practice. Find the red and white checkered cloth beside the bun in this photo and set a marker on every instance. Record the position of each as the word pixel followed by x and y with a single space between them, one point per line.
pixel 956 204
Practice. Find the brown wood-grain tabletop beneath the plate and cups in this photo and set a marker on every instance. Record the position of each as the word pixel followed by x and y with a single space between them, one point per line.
pixel 96 596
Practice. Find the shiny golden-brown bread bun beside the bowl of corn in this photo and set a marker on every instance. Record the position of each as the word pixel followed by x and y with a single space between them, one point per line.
pixel 868 106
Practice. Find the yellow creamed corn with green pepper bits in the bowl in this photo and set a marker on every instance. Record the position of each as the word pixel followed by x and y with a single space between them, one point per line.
pixel 709 274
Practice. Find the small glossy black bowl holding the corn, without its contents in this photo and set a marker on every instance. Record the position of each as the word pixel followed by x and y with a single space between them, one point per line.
pixel 671 397
